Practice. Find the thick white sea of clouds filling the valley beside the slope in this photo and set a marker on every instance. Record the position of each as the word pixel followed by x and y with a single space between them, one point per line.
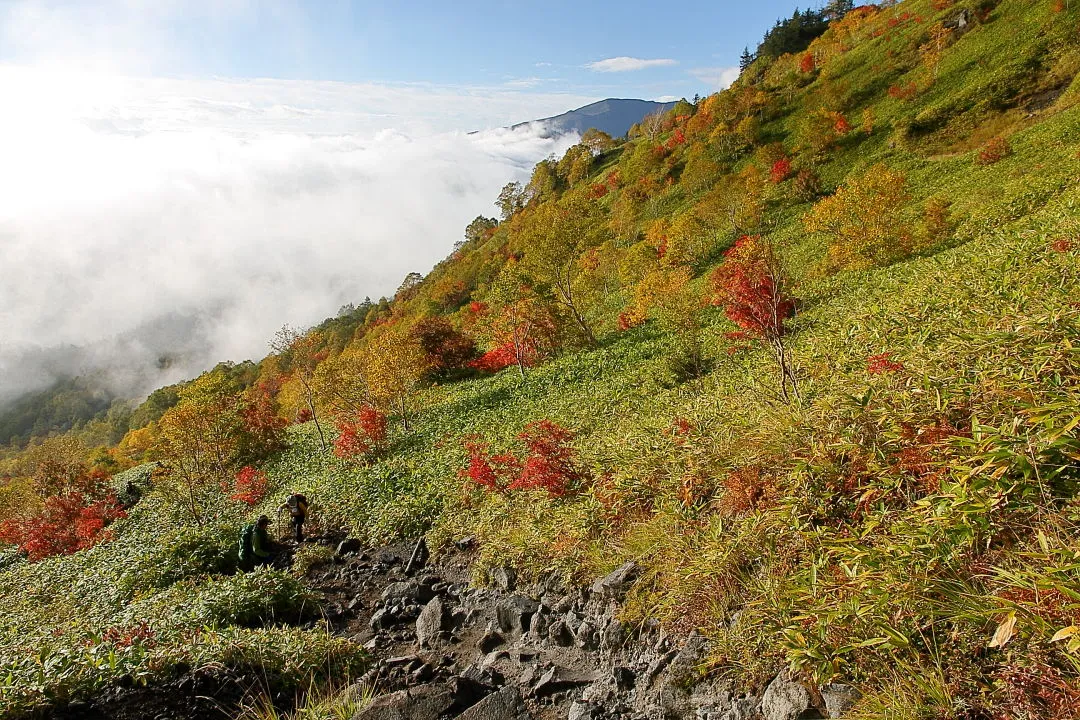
pixel 144 216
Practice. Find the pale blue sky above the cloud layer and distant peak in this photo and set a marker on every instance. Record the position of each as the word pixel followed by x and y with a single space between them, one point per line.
pixel 530 47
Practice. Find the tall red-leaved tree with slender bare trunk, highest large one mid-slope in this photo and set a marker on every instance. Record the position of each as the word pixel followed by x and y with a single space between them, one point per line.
pixel 752 288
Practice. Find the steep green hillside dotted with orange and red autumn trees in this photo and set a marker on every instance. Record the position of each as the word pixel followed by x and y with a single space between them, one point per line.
pixel 806 351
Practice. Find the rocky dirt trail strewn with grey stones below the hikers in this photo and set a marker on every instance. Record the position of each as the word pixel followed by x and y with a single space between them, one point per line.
pixel 443 649
